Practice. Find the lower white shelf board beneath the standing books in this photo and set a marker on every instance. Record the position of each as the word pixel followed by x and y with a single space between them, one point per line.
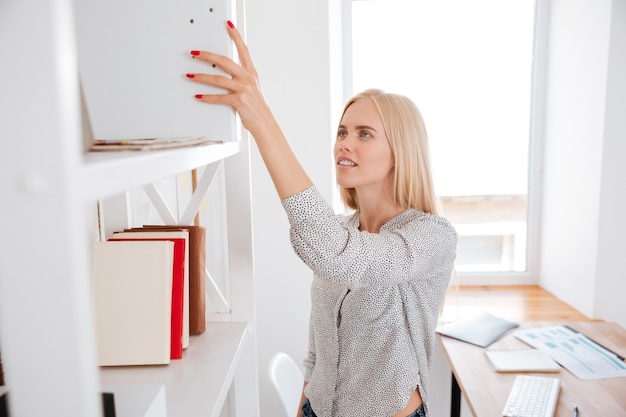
pixel 197 384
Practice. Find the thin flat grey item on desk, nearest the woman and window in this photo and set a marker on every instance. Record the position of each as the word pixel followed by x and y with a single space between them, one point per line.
pixel 480 329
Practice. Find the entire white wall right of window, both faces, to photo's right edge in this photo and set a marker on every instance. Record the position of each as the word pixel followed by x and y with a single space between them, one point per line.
pixel 583 194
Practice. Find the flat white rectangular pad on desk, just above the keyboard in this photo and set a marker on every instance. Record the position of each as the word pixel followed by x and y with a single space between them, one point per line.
pixel 521 360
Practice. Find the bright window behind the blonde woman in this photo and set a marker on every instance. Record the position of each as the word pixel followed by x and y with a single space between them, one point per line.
pixel 468 66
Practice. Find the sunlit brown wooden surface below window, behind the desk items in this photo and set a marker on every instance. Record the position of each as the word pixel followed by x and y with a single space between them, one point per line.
pixel 515 303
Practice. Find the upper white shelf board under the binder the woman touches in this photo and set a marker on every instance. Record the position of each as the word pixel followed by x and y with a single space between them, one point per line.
pixel 107 173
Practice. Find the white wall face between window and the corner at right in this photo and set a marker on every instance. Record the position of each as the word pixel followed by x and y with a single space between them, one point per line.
pixel 577 62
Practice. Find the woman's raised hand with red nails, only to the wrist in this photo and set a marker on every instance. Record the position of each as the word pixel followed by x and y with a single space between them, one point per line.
pixel 244 93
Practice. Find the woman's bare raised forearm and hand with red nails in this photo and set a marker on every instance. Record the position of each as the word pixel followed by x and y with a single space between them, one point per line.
pixel 245 96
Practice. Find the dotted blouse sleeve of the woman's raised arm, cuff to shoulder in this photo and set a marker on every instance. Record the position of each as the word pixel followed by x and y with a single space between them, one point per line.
pixel 420 248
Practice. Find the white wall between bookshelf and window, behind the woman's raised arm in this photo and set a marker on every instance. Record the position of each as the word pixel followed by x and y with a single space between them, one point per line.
pixel 289 41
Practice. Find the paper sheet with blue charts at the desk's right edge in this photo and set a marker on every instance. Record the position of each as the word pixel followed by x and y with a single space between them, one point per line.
pixel 574 351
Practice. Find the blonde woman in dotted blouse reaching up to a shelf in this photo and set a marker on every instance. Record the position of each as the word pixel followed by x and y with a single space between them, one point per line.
pixel 380 274
